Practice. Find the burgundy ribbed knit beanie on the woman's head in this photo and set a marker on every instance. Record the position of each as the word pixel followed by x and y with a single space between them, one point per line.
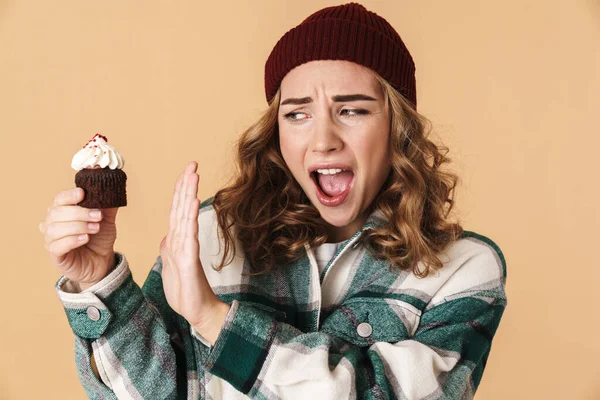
pixel 345 32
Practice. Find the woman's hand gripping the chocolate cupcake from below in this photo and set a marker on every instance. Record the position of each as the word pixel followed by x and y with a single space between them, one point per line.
pixel 80 240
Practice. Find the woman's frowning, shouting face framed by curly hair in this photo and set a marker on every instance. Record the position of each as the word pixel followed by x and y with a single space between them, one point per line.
pixel 334 131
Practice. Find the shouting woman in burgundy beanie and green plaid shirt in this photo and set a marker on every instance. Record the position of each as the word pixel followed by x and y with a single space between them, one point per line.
pixel 326 269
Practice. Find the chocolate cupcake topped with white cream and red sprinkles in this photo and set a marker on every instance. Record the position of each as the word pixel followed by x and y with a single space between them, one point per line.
pixel 100 174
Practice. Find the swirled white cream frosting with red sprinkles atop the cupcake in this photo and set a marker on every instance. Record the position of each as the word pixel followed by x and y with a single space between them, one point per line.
pixel 97 153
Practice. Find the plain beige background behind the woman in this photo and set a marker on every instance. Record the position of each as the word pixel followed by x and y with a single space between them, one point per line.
pixel 511 87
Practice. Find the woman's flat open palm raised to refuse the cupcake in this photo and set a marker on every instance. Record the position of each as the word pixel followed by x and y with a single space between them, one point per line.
pixel 186 288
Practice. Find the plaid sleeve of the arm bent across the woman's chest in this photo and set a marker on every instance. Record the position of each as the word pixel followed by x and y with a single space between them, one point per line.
pixel 443 358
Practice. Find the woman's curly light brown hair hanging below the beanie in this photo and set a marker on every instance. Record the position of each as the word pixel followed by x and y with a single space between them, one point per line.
pixel 266 210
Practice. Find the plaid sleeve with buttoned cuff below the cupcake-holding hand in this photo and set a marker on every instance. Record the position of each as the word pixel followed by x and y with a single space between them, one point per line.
pixel 127 336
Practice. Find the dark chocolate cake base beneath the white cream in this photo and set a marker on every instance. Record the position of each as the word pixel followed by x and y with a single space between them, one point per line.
pixel 103 187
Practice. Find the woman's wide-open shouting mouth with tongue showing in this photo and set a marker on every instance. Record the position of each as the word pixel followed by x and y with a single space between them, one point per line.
pixel 332 185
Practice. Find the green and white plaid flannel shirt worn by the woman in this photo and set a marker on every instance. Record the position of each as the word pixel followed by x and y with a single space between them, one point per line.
pixel 358 330
